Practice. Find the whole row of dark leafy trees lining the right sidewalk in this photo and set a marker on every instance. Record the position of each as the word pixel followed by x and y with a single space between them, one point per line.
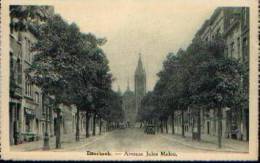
pixel 201 77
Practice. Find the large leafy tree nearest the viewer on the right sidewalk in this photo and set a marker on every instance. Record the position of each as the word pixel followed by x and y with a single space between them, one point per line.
pixel 216 82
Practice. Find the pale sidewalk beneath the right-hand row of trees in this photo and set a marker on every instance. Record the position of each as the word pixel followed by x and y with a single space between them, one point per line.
pixel 209 143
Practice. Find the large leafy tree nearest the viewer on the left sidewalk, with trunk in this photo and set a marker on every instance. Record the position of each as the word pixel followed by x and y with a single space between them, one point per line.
pixel 56 51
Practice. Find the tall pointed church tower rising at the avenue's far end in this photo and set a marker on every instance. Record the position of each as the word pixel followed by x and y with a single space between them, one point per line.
pixel 140 83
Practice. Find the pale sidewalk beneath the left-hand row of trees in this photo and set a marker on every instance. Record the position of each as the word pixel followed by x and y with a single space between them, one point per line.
pixel 67 142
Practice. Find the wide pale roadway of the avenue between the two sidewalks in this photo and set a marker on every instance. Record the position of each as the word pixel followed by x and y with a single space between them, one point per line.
pixel 133 139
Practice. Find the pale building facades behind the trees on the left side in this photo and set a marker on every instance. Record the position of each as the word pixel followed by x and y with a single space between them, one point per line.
pixel 27 116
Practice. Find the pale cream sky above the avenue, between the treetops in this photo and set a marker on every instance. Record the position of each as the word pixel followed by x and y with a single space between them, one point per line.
pixel 138 26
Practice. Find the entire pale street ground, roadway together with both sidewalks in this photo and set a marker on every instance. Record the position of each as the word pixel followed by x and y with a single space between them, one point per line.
pixel 134 139
